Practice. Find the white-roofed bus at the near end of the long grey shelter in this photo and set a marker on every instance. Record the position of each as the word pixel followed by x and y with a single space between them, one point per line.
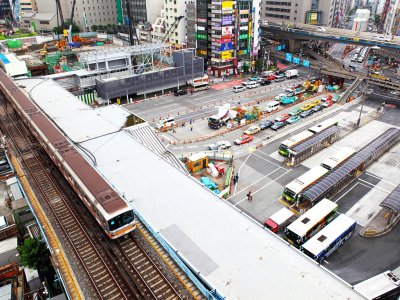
pixel 294 188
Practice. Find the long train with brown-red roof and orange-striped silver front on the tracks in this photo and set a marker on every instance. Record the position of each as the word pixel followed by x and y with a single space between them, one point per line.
pixel 110 210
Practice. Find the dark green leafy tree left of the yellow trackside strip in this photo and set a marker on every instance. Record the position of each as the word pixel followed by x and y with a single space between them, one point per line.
pixel 35 255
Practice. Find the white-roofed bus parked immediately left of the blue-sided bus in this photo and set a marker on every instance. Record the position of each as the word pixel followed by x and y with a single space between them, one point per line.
pixel 307 225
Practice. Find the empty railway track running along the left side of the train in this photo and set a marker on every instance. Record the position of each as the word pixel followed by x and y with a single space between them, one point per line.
pixel 105 279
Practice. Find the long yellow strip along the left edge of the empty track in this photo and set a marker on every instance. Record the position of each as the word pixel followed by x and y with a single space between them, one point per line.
pixel 69 279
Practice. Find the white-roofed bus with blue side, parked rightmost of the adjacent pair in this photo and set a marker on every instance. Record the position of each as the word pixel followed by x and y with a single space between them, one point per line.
pixel 325 242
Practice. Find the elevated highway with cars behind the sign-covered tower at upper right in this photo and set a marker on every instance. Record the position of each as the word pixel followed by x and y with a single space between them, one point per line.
pixel 304 32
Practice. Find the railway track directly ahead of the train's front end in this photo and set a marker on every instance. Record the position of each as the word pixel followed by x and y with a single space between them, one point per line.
pixel 150 279
